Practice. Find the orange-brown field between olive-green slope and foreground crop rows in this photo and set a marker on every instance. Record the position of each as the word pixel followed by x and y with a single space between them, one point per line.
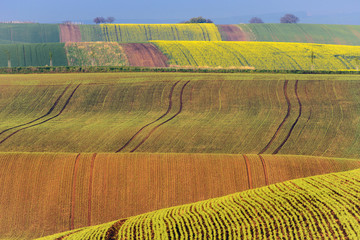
pixel 45 193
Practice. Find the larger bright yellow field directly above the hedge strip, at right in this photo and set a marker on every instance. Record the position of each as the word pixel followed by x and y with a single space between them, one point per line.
pixel 261 55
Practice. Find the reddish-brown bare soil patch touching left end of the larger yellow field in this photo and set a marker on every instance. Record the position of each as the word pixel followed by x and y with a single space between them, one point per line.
pixel 144 55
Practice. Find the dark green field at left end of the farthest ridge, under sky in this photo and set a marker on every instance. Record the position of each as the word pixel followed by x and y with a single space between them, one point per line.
pixel 28 33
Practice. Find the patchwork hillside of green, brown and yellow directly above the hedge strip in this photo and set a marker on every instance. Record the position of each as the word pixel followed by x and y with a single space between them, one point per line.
pixel 253 55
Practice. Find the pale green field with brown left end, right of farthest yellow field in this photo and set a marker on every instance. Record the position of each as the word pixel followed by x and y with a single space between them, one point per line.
pixel 305 33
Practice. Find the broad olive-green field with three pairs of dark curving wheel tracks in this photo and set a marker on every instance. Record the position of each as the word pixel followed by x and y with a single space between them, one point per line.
pixel 181 113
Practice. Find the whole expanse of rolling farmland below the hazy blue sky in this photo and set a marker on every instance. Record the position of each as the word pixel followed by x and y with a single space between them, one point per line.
pixel 155 155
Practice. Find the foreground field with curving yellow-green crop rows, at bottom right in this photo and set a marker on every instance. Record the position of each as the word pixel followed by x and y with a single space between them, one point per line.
pixel 324 206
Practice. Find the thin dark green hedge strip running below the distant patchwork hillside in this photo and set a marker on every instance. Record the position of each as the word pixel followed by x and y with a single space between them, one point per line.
pixel 100 69
